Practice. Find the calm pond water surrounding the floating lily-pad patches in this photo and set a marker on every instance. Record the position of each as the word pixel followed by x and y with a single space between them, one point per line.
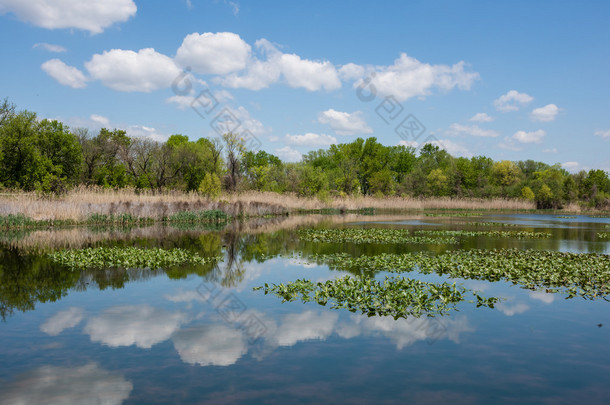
pixel 200 333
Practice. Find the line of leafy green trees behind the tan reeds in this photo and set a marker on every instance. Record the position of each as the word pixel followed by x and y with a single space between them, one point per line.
pixel 47 156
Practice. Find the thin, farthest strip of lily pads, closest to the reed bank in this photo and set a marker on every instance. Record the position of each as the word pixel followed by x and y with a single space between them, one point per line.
pixel 370 235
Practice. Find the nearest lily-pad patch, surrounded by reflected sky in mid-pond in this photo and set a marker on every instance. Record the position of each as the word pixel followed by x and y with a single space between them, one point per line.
pixel 395 296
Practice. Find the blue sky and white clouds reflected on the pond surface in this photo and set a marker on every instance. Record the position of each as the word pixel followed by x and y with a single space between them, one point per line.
pixel 162 336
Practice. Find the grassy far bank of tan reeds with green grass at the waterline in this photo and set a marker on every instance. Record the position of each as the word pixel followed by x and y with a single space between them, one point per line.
pixel 125 206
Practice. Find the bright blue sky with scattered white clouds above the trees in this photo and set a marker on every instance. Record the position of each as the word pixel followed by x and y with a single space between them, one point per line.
pixel 510 80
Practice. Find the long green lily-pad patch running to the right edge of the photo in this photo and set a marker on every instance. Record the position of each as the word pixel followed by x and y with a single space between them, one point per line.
pixel 577 274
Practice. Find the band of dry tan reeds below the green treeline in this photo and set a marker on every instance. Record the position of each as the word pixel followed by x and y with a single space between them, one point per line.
pixel 81 202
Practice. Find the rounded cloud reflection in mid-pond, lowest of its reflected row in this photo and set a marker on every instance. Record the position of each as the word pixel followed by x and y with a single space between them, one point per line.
pixel 212 345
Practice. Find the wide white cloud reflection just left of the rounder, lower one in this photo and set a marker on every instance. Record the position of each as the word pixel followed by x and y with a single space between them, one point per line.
pixel 141 325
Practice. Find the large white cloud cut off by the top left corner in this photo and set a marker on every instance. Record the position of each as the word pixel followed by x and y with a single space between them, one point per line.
pixel 91 15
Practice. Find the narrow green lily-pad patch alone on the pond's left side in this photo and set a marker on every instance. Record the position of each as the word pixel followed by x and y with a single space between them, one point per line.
pixel 129 257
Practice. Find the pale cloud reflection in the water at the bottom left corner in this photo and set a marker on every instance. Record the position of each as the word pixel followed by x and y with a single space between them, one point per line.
pixel 88 384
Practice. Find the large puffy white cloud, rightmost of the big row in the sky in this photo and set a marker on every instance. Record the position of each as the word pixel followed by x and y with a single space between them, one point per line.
pixel 408 78
